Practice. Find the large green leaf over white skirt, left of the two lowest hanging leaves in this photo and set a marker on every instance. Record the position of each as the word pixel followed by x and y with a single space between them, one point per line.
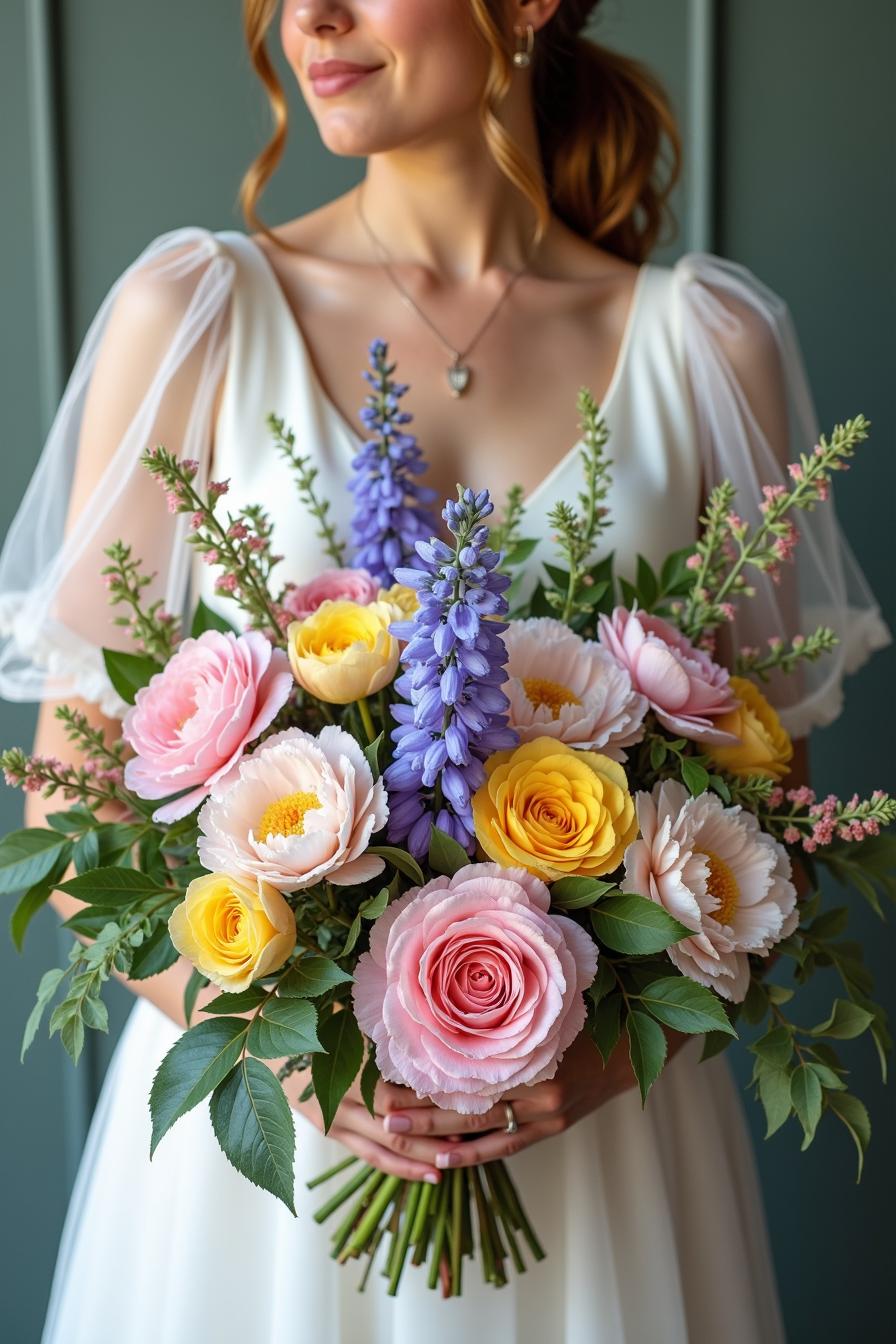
pixel 193 1068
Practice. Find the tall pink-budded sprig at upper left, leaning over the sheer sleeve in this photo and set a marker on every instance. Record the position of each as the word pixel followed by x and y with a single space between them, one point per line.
pixel 240 545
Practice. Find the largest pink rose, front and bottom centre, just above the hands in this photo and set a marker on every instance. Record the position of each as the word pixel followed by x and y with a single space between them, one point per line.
pixel 472 989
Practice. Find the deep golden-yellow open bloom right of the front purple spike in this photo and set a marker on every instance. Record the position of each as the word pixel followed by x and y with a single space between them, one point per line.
pixel 555 811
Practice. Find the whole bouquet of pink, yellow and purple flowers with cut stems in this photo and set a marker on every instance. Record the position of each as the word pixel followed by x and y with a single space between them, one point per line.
pixel 413 825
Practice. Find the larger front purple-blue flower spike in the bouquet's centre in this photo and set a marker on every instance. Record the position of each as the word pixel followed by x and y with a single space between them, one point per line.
pixel 455 671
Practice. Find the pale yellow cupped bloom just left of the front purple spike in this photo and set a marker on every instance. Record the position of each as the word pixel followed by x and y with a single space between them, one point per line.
pixel 343 651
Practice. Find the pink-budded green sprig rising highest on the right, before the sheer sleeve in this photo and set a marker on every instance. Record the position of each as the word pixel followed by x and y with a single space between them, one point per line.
pixel 729 546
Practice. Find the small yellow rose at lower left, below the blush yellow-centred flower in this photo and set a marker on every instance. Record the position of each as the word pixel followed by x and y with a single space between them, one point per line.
pixel 233 931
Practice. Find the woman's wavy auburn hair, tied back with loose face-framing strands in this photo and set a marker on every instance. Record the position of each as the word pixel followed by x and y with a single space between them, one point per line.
pixel 609 142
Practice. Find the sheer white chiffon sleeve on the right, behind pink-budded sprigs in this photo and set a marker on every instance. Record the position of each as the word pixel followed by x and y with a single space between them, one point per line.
pixel 756 413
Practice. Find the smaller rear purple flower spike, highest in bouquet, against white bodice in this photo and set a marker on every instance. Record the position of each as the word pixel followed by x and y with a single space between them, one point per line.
pixel 390 507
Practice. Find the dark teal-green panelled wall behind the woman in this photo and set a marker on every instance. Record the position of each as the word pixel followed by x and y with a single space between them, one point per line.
pixel 788 112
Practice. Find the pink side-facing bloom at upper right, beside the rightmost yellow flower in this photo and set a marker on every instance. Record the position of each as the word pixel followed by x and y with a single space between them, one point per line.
pixel 684 687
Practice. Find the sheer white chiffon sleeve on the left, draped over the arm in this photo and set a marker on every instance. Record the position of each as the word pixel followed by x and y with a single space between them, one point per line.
pixel 147 373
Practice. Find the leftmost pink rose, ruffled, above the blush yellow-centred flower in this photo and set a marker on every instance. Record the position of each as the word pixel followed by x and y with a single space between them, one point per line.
pixel 194 721
